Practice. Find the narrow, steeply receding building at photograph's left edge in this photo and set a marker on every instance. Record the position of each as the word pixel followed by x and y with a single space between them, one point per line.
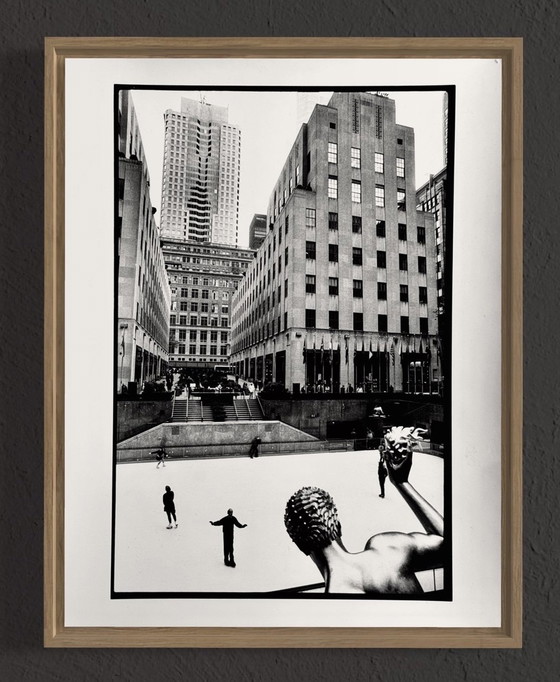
pixel 143 290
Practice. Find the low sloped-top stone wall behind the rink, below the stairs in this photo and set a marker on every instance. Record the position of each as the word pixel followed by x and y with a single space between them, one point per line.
pixel 213 439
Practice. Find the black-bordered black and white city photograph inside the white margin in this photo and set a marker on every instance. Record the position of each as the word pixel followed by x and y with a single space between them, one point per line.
pixel 282 342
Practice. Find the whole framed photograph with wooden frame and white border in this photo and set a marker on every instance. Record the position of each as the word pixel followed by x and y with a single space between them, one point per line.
pixel 283 342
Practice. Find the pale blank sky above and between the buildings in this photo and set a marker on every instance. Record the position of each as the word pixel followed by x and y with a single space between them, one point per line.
pixel 269 122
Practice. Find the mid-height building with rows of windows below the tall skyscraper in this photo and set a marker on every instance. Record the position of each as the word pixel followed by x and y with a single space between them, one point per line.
pixel 203 279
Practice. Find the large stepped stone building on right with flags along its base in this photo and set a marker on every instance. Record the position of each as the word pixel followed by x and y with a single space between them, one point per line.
pixel 343 289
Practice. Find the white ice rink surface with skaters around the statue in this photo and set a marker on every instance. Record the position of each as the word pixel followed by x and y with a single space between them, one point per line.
pixel 150 558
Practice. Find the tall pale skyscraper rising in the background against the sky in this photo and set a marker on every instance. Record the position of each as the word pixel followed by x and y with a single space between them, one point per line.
pixel 200 183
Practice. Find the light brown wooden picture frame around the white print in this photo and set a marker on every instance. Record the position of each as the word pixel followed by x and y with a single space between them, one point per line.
pixel 508 52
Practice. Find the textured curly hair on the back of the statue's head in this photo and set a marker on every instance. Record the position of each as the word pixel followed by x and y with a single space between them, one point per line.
pixel 311 519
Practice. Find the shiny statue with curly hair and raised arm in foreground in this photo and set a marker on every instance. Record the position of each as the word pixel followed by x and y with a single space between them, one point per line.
pixel 389 561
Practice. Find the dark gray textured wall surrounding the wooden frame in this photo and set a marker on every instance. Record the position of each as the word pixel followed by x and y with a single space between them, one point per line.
pixel 23 25
